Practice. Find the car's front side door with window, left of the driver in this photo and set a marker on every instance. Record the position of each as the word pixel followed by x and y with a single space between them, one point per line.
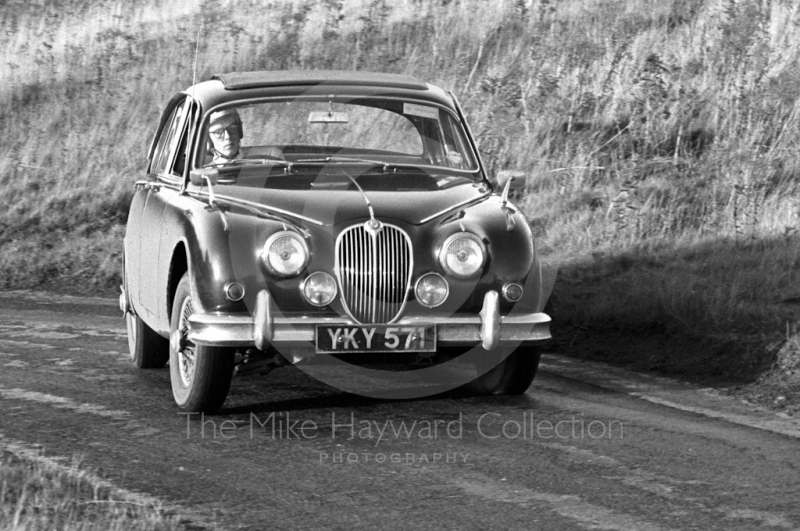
pixel 162 184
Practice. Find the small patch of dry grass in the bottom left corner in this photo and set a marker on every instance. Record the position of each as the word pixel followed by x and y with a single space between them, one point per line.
pixel 37 494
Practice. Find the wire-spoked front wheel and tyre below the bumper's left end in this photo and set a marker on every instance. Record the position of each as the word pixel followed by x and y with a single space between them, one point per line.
pixel 201 375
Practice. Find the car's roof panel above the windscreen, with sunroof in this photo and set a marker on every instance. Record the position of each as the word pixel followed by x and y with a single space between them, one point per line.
pixel 234 86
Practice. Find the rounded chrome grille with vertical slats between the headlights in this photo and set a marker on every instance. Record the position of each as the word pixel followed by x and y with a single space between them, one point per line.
pixel 374 272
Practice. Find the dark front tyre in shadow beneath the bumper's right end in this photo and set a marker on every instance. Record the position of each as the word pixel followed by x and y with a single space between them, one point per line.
pixel 511 375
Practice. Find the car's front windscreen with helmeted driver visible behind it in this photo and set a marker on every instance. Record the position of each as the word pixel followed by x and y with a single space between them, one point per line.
pixel 331 130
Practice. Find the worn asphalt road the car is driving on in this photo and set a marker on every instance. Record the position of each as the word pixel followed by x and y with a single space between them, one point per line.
pixel 588 447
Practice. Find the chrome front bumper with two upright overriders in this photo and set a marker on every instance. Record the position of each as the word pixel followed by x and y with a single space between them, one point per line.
pixel 268 327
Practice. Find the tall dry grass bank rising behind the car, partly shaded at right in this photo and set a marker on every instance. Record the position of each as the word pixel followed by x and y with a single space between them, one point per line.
pixel 660 138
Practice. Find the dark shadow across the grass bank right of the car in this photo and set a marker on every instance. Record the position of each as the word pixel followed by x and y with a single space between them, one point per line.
pixel 716 311
